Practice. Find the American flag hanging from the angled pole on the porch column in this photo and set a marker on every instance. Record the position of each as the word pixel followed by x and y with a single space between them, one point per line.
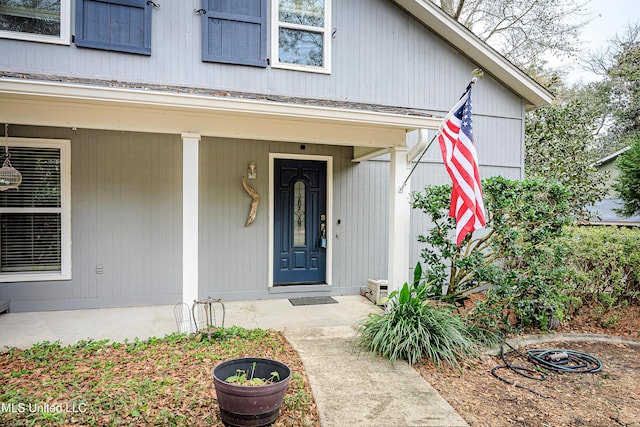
pixel 461 161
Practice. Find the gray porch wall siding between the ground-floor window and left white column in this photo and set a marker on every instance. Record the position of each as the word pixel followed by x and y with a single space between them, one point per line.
pixel 126 219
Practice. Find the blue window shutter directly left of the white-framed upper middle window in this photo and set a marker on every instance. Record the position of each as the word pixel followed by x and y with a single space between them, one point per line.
pixel 235 32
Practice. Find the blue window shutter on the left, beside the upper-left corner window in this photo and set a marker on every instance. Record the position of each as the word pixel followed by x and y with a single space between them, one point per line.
pixel 118 25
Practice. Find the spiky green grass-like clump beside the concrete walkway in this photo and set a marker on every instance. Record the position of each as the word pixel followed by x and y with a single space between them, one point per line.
pixel 413 327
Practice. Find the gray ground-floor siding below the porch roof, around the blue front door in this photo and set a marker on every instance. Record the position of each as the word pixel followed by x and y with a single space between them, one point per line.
pixel 126 216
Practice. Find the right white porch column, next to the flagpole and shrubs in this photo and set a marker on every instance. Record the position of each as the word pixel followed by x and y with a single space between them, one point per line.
pixel 399 219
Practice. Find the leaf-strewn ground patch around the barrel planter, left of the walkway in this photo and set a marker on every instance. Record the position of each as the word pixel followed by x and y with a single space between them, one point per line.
pixel 163 382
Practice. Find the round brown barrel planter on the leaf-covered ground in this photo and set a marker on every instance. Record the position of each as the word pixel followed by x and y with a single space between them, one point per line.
pixel 250 405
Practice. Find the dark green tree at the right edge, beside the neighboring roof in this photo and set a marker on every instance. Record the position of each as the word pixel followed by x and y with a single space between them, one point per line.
pixel 628 182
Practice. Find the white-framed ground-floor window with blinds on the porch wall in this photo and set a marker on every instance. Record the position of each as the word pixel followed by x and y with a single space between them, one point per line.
pixel 34 220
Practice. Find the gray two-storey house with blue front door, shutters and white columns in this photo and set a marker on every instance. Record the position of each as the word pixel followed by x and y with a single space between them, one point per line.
pixel 133 123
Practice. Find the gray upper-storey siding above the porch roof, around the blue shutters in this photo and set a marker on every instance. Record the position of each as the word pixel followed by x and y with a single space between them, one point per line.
pixel 380 55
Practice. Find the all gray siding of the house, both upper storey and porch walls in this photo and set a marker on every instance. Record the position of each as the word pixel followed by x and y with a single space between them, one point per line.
pixel 126 187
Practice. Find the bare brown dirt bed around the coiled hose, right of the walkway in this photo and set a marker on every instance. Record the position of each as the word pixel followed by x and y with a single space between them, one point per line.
pixel 610 397
